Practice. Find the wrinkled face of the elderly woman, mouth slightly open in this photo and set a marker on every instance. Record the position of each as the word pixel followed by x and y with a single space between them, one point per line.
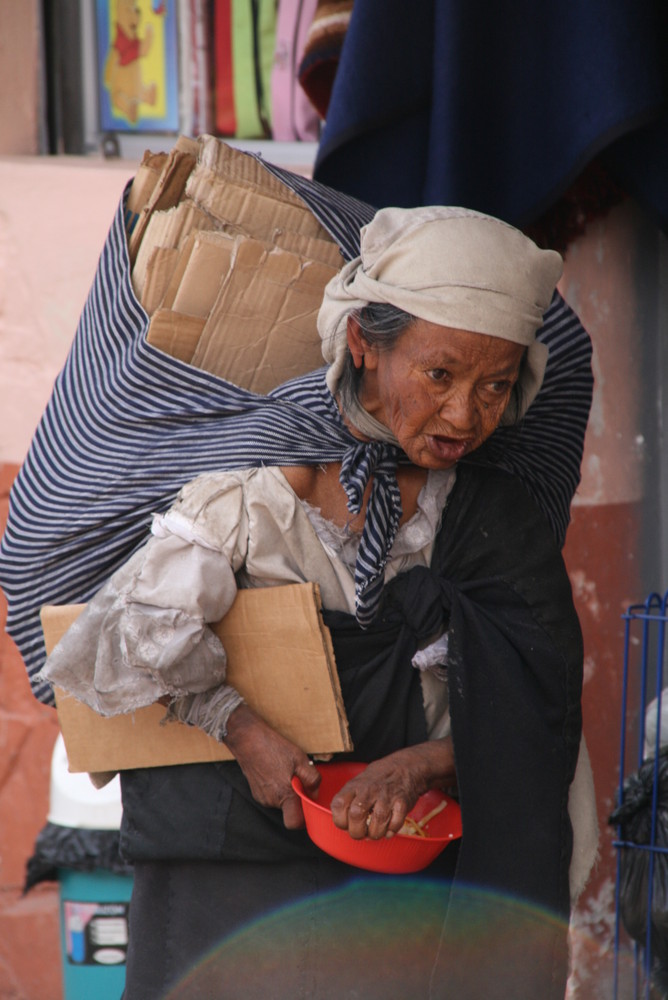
pixel 441 391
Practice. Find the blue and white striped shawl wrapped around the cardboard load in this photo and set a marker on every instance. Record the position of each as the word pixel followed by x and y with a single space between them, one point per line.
pixel 127 426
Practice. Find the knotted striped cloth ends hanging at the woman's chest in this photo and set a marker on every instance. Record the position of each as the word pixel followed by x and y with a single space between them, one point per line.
pixel 361 463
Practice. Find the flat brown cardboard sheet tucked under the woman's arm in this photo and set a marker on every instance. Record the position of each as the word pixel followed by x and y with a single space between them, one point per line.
pixel 280 658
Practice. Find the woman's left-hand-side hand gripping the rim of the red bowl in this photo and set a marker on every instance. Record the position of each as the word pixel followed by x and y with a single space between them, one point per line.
pixel 269 762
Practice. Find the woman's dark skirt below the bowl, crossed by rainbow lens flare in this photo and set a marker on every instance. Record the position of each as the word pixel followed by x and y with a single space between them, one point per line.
pixel 313 928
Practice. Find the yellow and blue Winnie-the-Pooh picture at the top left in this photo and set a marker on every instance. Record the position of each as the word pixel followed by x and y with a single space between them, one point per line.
pixel 138 65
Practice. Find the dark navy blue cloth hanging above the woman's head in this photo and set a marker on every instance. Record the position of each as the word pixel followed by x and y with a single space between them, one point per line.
pixel 499 106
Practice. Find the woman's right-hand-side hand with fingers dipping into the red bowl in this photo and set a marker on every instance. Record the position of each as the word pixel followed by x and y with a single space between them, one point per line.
pixel 377 801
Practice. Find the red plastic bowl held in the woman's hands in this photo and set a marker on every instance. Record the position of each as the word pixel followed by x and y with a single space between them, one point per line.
pixel 393 855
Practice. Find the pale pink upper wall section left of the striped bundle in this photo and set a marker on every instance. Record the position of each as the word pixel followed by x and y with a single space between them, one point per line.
pixel 54 215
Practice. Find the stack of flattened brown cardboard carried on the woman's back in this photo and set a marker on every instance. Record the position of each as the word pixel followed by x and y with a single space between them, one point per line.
pixel 229 264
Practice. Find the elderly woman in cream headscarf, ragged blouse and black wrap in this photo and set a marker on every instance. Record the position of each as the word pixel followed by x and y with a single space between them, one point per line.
pixel 455 636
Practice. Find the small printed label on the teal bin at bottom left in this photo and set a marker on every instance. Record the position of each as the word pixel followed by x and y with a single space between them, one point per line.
pixel 96 933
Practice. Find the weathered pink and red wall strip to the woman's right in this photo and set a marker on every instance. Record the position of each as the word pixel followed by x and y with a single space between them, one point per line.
pixel 614 545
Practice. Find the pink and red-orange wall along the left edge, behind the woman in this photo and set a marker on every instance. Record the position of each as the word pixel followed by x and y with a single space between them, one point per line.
pixel 54 215
